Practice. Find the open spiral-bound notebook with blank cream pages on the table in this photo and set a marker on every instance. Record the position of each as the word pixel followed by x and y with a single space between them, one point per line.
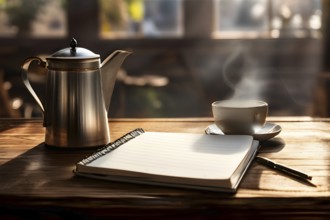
pixel 211 162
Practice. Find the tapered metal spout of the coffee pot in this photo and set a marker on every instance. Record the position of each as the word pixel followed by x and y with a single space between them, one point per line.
pixel 109 70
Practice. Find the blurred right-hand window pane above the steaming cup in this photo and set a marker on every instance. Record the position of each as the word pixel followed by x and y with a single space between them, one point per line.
pixel 267 18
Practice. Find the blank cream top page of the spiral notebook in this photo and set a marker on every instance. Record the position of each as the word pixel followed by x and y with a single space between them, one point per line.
pixel 179 155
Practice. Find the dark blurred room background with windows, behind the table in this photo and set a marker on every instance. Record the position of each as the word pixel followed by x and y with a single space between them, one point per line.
pixel 186 53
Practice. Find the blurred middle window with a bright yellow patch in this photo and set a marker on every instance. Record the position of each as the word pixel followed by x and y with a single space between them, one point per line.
pixel 141 18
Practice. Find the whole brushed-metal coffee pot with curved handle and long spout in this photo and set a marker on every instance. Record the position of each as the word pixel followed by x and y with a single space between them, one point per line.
pixel 78 93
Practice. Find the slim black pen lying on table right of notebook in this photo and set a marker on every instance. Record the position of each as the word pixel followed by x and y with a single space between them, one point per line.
pixel 283 168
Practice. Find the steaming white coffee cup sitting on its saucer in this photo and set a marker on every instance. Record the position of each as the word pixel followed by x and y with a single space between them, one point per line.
pixel 240 116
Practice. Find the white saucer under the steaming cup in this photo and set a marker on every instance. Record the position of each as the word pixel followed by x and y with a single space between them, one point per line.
pixel 269 131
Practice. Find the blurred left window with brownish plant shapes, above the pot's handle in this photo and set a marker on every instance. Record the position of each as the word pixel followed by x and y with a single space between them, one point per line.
pixel 37 18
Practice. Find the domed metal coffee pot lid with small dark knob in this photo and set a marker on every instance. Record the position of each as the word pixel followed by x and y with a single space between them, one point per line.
pixel 74 52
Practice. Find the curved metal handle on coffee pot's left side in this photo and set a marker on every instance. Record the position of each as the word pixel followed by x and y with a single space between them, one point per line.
pixel 25 67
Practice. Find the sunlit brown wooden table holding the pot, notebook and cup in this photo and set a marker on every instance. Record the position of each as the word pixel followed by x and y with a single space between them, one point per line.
pixel 37 181
